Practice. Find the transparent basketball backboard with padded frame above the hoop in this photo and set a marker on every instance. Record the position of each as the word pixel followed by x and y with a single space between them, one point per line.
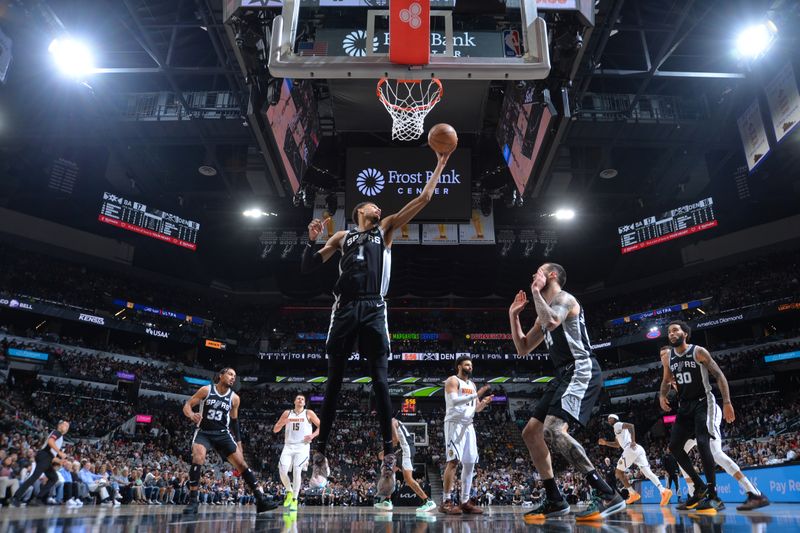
pixel 469 39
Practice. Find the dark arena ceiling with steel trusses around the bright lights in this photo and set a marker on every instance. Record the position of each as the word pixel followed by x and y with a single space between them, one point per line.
pixel 640 57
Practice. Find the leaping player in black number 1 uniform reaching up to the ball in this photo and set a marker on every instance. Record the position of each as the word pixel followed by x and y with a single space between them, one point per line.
pixel 360 310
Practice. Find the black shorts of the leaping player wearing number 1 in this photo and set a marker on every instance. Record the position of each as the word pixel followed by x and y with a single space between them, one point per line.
pixel 364 319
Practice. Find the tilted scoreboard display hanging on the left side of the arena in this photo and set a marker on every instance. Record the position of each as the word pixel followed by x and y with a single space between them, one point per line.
pixel 136 216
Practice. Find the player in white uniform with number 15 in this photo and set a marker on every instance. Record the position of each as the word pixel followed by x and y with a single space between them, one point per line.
pixel 296 448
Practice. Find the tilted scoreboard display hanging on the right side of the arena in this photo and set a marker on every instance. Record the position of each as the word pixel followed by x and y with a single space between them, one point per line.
pixel 673 224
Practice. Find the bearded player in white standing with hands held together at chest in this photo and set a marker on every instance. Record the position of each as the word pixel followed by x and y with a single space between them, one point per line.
pixel 462 402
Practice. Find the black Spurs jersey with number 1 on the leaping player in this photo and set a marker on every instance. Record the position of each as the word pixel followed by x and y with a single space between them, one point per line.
pixel 365 265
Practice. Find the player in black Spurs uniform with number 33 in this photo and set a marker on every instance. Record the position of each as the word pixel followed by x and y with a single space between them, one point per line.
pixel 218 429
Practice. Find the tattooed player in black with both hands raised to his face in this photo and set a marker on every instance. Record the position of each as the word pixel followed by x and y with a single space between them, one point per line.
pixel 570 397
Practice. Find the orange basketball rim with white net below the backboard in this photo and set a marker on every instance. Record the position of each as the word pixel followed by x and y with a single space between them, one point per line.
pixel 408 102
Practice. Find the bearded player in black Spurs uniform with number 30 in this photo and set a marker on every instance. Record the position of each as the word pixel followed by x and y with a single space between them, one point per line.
pixel 690 366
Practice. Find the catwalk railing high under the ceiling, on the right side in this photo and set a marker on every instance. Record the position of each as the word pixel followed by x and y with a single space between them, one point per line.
pixel 649 108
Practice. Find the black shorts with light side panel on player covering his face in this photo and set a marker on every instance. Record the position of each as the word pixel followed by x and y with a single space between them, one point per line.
pixel 573 393
